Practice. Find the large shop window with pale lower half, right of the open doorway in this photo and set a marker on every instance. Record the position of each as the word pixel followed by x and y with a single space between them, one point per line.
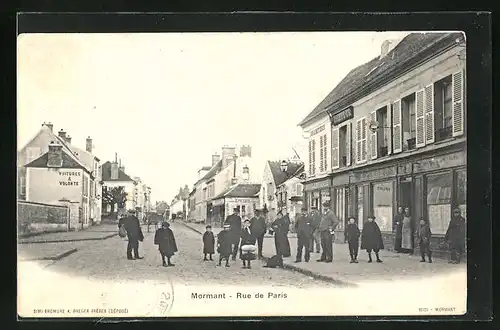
pixel 439 202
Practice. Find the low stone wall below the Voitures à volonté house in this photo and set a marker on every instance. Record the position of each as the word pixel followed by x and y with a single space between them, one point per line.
pixel 33 218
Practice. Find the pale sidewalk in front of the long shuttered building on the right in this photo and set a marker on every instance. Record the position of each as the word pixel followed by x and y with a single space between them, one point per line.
pixel 395 267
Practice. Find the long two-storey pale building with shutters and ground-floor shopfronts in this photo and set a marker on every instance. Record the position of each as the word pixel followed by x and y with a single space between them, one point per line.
pixel 395 135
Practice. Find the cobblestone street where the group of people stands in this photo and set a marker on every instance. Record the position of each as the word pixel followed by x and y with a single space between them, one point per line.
pixel 106 260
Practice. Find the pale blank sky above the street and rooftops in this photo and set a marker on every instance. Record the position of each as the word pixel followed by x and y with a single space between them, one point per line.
pixel 165 102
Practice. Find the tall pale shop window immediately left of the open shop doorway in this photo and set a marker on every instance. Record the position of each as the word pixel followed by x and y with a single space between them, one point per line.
pixel 382 204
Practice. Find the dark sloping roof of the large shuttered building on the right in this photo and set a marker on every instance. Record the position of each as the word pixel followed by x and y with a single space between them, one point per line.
pixel 407 49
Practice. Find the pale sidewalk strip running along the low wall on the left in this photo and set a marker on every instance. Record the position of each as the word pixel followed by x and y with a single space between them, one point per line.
pixel 97 232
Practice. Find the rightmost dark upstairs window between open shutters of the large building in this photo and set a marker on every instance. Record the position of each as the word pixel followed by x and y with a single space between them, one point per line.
pixel 443 118
